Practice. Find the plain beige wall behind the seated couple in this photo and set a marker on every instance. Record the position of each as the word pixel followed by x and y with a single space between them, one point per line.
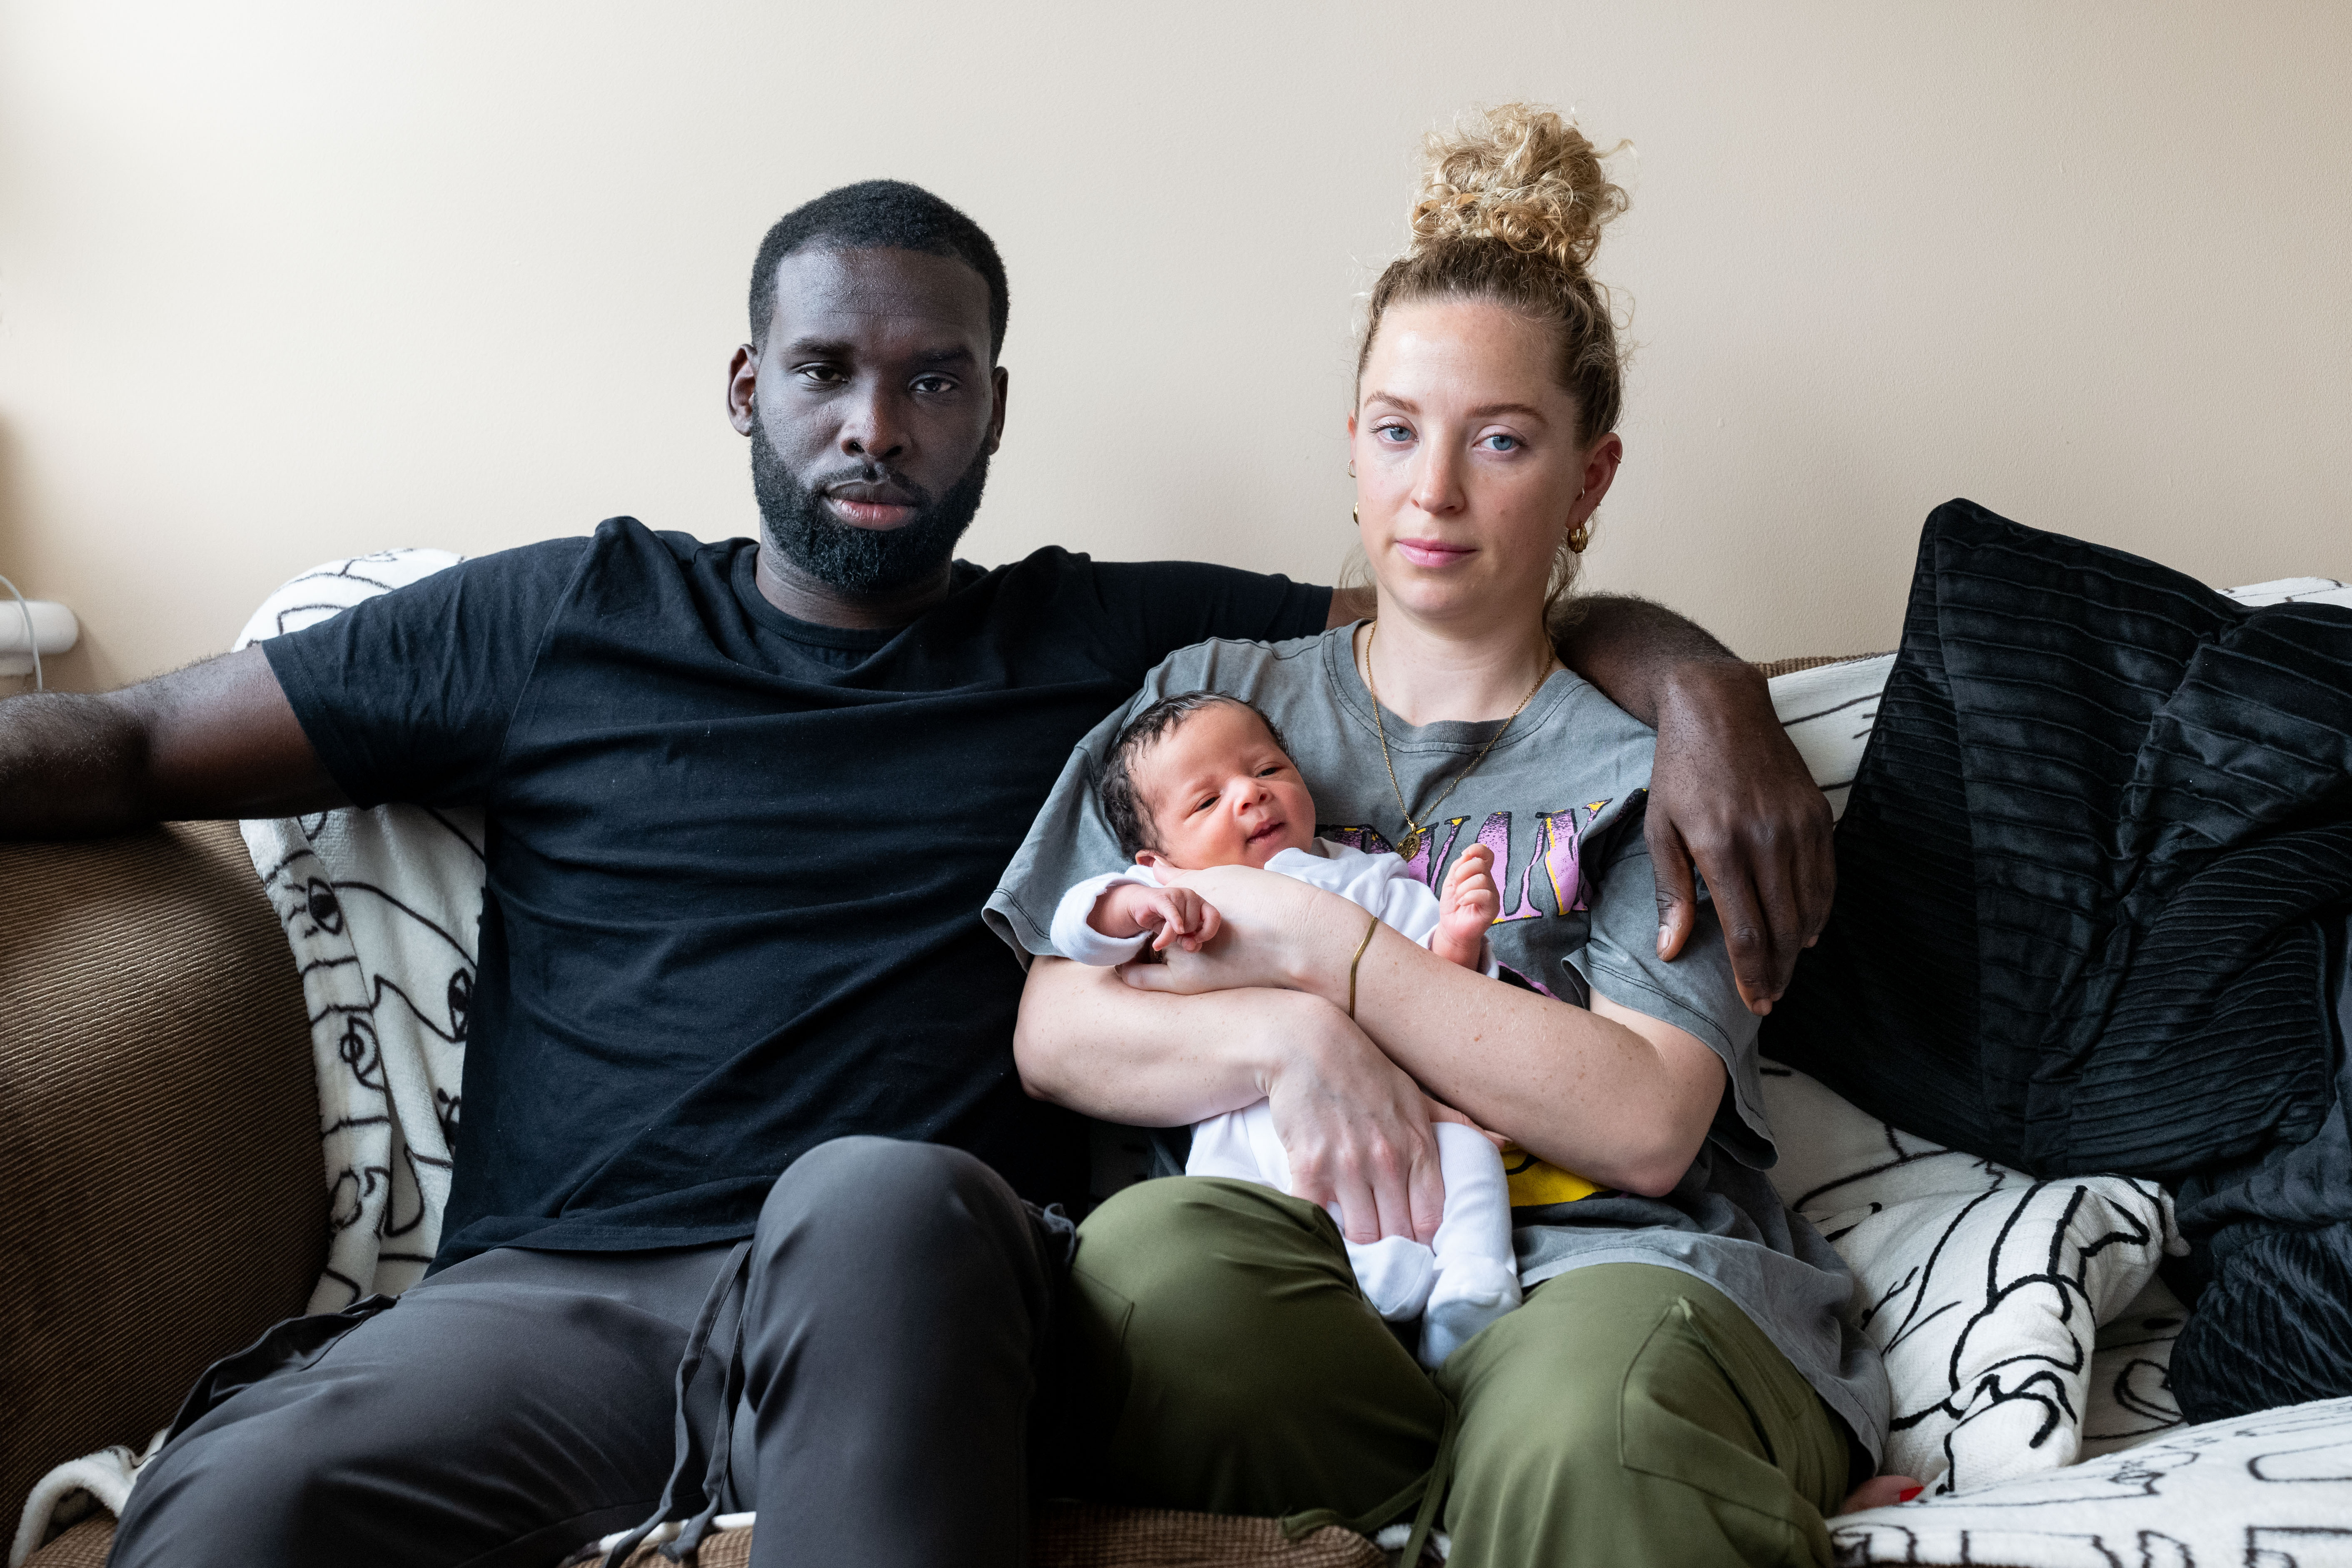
pixel 295 281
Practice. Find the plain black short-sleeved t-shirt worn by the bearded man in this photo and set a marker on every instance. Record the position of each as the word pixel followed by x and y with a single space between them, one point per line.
pixel 737 862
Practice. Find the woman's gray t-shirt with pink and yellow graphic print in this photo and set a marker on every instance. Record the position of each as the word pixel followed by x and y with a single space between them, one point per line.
pixel 1561 803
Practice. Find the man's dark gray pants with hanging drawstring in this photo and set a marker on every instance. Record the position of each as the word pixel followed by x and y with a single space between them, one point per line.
pixel 519 1405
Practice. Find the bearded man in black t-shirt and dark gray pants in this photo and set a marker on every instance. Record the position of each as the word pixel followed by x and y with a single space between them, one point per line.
pixel 747 1207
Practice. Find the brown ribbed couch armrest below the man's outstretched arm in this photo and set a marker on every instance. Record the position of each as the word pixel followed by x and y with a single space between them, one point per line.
pixel 161 1195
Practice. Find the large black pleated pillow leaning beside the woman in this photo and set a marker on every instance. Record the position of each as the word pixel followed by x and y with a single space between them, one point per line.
pixel 2092 880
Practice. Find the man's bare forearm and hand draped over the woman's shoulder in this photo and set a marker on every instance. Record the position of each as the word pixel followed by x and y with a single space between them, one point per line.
pixel 1728 793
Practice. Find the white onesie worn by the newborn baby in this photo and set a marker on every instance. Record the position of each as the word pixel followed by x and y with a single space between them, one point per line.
pixel 1462 1282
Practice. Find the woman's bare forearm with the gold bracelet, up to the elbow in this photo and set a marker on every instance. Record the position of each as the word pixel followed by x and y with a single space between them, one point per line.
pixel 1608 1094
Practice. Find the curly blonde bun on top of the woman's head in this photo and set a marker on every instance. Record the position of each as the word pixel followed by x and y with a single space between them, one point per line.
pixel 1523 177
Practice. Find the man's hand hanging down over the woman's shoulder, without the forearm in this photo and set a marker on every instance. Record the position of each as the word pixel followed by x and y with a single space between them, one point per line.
pixel 1732 796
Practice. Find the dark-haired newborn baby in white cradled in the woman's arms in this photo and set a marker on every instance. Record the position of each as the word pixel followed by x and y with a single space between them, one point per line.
pixel 1201 782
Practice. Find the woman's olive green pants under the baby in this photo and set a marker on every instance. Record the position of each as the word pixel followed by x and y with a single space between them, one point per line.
pixel 1222 1360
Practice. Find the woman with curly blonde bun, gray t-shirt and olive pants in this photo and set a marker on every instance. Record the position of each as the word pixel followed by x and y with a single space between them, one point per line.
pixel 1683 1383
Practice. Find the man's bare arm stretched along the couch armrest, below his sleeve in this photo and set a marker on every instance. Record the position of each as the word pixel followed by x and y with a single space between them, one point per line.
pixel 211 742
